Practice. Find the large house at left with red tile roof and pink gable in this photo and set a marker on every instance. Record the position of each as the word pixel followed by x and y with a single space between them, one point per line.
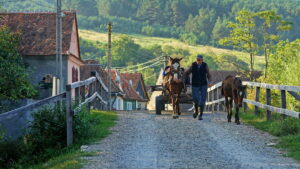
pixel 38 44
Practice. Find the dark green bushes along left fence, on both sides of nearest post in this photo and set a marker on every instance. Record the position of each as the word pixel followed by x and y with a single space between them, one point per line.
pixel 46 136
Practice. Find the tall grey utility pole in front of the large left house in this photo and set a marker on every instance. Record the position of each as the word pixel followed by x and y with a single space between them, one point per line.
pixel 59 45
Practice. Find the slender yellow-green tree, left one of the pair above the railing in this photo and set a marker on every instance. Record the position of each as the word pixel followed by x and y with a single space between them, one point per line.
pixel 242 36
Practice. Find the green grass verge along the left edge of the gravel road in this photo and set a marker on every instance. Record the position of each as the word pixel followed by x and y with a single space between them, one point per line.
pixel 71 157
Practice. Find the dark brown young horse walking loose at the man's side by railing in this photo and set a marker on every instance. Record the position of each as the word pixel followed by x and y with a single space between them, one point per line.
pixel 232 87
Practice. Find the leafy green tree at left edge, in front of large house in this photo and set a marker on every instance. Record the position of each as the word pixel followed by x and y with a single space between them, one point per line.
pixel 14 81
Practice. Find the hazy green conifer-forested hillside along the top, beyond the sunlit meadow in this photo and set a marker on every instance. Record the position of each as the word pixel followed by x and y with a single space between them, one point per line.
pixel 192 21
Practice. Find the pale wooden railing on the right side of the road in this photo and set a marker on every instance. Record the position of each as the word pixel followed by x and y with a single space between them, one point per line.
pixel 215 100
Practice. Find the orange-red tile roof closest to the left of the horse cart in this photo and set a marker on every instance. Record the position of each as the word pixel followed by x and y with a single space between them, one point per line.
pixel 135 79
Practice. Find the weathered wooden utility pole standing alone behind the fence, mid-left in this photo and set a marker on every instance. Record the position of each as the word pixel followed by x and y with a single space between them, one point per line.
pixel 109 65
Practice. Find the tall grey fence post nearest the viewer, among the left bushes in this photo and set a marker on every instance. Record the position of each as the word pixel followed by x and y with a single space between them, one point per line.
pixel 69 115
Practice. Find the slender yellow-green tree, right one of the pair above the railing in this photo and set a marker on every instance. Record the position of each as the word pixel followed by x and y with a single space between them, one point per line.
pixel 272 23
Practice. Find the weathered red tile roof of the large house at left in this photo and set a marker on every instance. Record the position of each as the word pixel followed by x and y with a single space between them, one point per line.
pixel 38 31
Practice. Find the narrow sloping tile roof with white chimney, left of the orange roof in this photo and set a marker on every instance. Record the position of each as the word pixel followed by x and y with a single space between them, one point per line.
pixel 127 89
